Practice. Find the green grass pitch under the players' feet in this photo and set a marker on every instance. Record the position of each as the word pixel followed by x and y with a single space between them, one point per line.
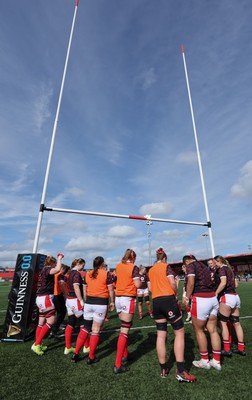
pixel 25 375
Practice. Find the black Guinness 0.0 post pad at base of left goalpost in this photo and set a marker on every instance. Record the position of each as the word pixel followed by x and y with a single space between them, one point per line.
pixel 22 313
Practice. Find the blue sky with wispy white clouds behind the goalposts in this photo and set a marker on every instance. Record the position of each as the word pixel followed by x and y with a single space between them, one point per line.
pixel 124 141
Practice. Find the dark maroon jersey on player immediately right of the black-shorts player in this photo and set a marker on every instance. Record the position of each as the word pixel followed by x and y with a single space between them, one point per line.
pixel 203 280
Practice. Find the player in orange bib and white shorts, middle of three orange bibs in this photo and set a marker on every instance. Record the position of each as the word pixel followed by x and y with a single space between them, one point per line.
pixel 127 283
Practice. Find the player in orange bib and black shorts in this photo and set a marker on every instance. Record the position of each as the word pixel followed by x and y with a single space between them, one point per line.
pixel 165 310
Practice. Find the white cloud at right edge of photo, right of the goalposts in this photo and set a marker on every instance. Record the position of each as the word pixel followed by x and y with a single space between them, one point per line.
pixel 243 188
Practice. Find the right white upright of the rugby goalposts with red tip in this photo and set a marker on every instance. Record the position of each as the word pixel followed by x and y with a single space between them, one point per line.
pixel 198 155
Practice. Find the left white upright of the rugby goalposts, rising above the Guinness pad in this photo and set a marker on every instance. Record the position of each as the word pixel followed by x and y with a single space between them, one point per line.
pixel 40 216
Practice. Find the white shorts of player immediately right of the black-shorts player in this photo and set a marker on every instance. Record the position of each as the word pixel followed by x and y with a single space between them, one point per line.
pixel 203 307
